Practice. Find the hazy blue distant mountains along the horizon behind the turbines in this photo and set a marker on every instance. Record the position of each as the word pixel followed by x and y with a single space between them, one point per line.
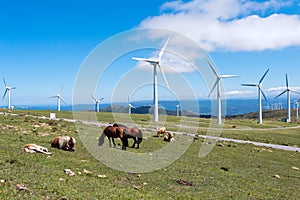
pixel 202 107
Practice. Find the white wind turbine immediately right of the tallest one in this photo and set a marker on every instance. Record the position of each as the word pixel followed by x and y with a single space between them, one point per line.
pixel 217 84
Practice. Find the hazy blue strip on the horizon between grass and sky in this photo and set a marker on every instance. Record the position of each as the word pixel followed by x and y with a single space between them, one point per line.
pixel 200 107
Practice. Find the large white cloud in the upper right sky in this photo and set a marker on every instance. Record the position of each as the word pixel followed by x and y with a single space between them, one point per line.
pixel 235 25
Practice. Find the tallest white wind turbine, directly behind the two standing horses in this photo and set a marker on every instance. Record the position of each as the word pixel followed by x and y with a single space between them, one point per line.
pixel 156 63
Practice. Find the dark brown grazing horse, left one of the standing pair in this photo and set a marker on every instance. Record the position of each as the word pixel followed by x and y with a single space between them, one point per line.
pixel 114 132
